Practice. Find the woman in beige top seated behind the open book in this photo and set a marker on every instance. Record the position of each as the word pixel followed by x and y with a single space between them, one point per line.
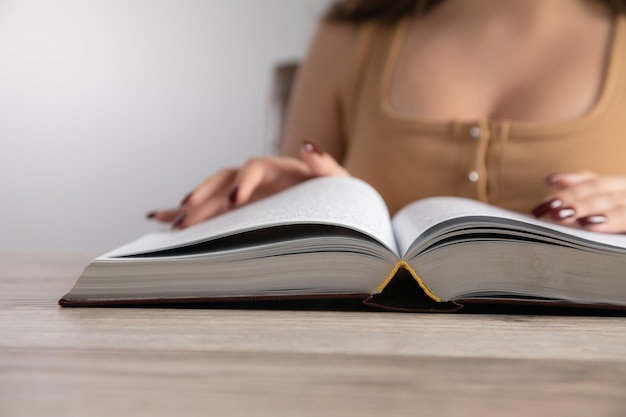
pixel 518 103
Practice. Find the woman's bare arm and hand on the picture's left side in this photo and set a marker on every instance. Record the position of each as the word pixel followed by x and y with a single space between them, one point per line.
pixel 313 123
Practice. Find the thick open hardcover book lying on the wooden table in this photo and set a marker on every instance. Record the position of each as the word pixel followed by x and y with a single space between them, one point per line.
pixel 332 237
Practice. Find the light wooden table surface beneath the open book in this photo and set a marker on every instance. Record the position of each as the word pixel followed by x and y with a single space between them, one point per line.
pixel 194 362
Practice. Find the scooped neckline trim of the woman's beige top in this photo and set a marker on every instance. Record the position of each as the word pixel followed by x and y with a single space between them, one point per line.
pixel 603 99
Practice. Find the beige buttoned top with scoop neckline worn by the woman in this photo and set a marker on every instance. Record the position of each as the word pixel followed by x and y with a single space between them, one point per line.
pixel 502 162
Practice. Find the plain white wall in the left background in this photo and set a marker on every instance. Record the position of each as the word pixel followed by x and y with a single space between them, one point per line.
pixel 112 108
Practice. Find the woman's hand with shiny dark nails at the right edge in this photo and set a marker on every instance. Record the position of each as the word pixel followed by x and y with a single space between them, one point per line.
pixel 597 203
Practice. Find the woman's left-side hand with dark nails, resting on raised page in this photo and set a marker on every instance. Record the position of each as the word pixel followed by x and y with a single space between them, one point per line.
pixel 258 178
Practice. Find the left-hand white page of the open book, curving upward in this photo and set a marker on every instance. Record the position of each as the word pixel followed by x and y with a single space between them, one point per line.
pixel 340 201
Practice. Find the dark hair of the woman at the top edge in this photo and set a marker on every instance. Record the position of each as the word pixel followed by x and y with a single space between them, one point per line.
pixel 357 11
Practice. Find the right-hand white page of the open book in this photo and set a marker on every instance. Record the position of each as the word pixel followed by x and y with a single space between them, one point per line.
pixel 416 218
